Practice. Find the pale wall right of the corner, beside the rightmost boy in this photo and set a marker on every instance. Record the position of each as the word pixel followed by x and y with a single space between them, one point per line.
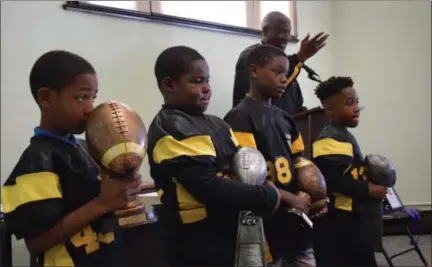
pixel 385 46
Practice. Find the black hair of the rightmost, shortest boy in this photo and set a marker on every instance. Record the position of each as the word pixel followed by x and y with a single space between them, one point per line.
pixel 332 86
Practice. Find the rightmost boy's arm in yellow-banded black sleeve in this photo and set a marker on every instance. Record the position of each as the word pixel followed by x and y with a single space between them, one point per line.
pixel 334 159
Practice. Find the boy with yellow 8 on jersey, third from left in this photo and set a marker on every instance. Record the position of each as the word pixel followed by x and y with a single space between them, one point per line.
pixel 257 123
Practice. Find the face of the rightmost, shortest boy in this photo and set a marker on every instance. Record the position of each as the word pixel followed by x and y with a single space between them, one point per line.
pixel 343 108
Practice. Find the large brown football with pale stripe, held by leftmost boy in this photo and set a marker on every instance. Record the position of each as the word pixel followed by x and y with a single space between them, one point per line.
pixel 116 136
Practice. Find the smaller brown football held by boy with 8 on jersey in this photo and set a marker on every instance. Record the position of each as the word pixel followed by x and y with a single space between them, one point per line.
pixel 310 180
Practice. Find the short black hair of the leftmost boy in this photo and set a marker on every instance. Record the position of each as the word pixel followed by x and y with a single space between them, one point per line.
pixel 56 69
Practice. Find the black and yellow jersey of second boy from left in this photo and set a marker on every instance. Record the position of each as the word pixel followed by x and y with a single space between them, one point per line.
pixel 190 159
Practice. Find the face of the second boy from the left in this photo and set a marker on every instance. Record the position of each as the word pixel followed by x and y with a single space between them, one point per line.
pixel 192 90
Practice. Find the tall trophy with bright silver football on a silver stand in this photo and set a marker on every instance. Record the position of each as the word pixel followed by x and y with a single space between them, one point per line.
pixel 249 166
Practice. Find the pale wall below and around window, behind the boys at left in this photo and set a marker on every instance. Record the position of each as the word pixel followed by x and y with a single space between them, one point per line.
pixel 123 52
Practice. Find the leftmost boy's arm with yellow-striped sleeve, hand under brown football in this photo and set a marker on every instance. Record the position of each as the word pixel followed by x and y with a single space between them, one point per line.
pixel 34 209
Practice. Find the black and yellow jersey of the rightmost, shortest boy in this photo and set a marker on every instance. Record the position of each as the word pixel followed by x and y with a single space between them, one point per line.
pixel 337 154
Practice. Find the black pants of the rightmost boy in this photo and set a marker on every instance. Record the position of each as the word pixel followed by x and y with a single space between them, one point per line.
pixel 341 239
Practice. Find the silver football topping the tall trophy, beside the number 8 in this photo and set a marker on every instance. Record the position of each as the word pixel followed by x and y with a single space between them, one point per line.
pixel 249 166
